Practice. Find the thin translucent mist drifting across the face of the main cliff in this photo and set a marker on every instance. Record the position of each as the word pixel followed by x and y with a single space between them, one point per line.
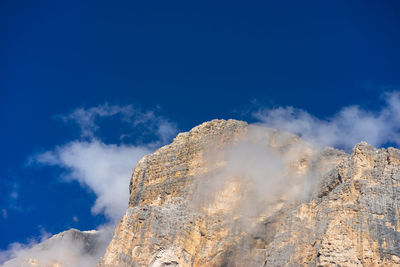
pixel 251 175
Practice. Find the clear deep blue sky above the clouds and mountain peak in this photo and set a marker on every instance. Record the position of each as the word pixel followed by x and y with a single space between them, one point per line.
pixel 194 61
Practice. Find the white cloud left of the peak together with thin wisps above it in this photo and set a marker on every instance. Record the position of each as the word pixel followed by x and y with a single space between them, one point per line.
pixel 106 168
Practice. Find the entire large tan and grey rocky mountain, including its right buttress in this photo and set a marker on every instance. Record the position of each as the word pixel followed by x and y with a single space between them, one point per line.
pixel 230 194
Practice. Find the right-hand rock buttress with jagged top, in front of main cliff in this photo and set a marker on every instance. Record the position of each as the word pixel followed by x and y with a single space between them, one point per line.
pixel 353 221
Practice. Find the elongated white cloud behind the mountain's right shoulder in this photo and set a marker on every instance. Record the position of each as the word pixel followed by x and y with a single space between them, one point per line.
pixel 345 129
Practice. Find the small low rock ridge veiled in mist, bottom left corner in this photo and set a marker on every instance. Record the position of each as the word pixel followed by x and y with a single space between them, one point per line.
pixel 69 248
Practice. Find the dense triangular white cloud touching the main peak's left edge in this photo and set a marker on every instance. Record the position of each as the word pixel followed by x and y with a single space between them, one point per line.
pixel 104 169
